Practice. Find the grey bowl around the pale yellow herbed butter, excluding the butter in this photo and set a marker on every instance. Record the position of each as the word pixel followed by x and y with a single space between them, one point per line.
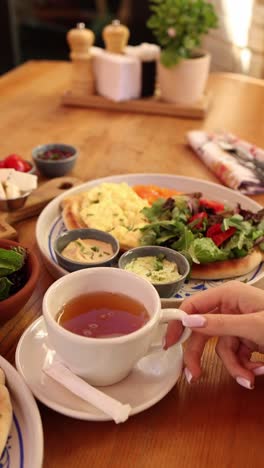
pixel 165 290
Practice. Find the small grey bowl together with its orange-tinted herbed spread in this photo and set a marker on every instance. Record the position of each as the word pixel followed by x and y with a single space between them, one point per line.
pixel 85 248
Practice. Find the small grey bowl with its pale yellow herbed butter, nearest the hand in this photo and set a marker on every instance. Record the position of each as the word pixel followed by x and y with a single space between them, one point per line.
pixel 165 268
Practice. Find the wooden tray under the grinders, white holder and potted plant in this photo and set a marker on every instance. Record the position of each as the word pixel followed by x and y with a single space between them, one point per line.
pixel 153 105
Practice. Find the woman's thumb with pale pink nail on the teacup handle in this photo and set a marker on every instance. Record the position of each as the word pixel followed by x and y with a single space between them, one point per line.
pixel 249 326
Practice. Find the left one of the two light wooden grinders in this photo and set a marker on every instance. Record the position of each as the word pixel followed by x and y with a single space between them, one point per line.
pixel 80 41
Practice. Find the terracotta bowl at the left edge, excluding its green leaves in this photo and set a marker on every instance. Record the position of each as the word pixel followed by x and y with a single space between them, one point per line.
pixel 11 306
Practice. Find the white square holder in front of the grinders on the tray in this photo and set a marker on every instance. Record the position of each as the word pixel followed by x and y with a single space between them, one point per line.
pixel 117 77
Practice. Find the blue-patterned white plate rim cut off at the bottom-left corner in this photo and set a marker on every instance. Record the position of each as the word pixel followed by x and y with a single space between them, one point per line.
pixel 24 446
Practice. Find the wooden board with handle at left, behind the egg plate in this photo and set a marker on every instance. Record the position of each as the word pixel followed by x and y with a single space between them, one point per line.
pixel 37 200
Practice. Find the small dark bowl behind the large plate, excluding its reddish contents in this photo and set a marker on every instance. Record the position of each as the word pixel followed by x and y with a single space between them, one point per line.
pixel 54 168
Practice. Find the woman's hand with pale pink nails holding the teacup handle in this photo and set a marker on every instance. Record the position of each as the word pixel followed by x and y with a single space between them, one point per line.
pixel 235 314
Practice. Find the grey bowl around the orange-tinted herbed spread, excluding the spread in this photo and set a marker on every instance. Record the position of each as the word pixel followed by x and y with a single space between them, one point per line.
pixel 62 241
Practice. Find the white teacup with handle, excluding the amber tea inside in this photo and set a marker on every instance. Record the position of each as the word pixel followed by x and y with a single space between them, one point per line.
pixel 105 361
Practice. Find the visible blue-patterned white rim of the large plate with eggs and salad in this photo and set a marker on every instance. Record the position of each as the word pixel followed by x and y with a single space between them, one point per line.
pixel 50 223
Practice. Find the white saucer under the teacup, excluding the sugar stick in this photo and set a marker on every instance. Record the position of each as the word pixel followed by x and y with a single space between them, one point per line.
pixel 150 380
